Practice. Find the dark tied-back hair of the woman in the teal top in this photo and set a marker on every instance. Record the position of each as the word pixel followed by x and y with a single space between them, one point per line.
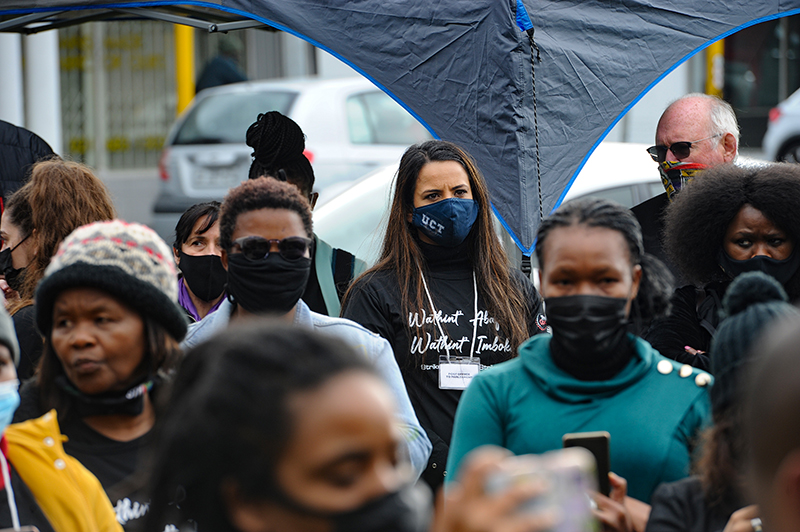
pixel 657 283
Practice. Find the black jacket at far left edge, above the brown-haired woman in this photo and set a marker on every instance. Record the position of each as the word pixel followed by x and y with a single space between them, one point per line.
pixel 19 149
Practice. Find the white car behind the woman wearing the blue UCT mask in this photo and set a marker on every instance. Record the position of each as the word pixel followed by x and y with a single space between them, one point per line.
pixel 355 219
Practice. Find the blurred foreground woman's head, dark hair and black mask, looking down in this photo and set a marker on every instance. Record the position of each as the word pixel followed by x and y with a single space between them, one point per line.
pixel 280 429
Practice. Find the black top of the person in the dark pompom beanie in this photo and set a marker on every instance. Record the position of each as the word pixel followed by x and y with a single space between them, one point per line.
pixel 681 507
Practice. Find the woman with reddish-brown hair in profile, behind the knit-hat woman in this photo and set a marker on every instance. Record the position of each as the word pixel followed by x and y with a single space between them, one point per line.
pixel 59 197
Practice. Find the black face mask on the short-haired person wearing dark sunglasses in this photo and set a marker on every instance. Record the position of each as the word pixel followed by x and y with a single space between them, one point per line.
pixel 272 285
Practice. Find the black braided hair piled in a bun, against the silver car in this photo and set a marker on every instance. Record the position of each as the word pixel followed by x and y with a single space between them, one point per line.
pixel 278 144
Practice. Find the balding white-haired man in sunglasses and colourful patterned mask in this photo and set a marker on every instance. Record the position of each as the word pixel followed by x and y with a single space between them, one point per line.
pixel 695 132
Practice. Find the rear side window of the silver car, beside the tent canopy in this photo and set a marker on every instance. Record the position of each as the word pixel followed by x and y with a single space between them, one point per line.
pixel 374 118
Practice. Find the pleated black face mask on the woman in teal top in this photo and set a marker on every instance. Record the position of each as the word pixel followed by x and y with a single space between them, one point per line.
pixel 587 326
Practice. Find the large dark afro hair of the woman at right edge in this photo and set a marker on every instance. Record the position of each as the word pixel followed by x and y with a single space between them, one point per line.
pixel 696 222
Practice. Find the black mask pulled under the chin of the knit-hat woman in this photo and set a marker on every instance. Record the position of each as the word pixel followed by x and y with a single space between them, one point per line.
pixel 128 402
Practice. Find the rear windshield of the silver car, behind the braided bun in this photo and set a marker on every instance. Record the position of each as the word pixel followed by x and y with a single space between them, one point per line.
pixel 224 118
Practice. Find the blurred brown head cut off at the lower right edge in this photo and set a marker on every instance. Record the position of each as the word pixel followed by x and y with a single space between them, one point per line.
pixel 773 428
